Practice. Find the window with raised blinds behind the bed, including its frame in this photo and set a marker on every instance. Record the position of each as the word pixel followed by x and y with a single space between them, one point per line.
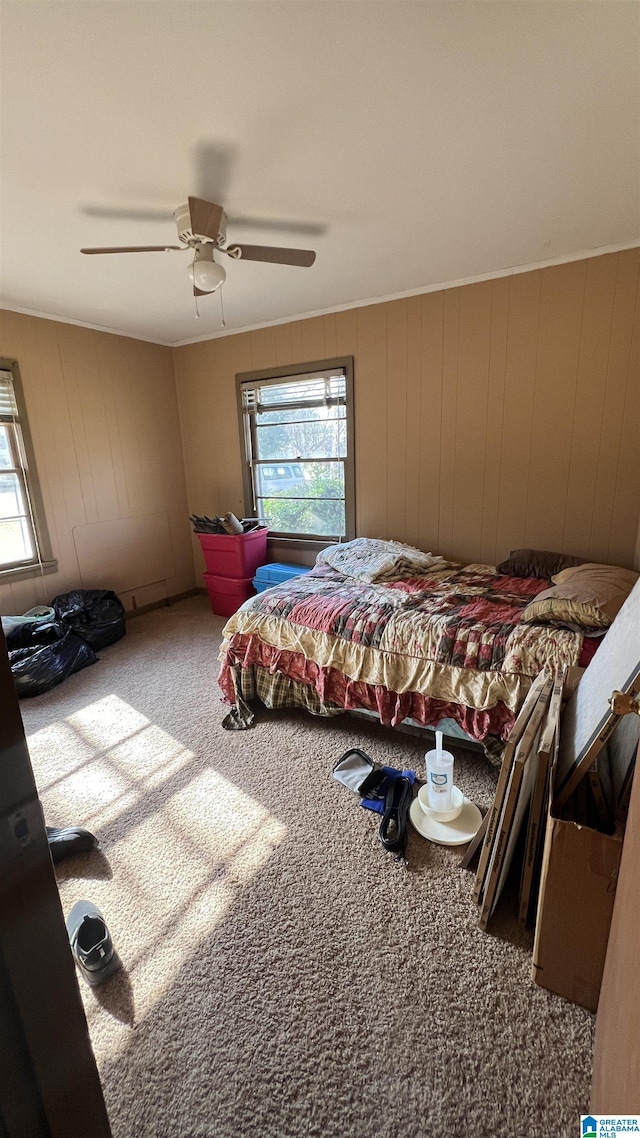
pixel 297 428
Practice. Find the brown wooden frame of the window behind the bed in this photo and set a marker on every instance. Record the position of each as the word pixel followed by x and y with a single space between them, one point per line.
pixel 293 373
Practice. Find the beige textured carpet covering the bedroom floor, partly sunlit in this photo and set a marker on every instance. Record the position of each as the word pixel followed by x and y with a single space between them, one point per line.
pixel 284 976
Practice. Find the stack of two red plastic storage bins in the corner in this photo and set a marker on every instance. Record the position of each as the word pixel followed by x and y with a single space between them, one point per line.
pixel 232 562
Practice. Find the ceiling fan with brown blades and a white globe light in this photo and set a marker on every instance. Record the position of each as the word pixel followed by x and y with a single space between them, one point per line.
pixel 202 227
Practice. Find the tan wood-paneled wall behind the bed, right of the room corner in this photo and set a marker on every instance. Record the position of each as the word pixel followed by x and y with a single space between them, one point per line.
pixel 488 417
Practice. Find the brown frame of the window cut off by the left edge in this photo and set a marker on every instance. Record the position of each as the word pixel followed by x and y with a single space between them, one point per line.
pixel 14 415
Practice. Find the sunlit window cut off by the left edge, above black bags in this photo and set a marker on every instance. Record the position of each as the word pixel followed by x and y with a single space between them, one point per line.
pixel 24 541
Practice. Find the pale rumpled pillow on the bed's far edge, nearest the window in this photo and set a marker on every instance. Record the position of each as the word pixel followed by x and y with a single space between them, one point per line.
pixel 373 560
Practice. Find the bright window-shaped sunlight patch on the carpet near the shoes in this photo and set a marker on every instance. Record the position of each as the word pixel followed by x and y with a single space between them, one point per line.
pixel 182 843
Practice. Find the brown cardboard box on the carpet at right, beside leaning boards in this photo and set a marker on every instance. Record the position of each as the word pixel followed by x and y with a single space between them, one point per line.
pixel 576 905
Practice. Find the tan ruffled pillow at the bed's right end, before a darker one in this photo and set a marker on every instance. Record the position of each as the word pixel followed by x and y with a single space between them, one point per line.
pixel 585 598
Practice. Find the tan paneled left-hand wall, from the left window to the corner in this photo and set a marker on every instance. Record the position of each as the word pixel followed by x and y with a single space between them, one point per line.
pixel 104 418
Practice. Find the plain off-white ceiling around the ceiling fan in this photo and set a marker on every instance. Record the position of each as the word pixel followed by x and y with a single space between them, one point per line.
pixel 425 143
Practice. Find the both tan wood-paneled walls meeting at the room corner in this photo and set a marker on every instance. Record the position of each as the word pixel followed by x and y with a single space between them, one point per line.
pixel 488 417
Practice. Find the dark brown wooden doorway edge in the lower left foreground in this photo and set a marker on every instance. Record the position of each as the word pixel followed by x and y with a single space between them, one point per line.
pixel 50 1084
